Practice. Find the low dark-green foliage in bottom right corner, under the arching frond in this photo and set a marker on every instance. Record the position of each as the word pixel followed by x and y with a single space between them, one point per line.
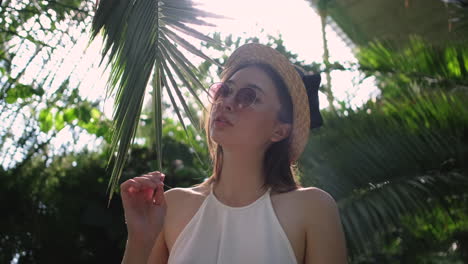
pixel 439 236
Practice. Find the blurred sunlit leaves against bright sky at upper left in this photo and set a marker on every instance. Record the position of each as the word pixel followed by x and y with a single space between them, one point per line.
pixel 39 96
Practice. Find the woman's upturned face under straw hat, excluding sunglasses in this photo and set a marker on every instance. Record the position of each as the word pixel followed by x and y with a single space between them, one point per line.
pixel 254 127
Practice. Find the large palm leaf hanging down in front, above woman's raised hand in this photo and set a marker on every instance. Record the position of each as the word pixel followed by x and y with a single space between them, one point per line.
pixel 136 41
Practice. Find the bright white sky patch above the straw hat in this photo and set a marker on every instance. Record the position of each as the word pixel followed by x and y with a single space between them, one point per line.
pixel 297 21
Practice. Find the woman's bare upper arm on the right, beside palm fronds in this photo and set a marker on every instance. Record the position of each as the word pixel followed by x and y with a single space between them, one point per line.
pixel 324 234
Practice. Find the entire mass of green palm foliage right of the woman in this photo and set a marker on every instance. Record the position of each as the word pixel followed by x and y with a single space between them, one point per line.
pixel 405 152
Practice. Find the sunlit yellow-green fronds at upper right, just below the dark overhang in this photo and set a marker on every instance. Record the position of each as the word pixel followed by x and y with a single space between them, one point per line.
pixel 418 59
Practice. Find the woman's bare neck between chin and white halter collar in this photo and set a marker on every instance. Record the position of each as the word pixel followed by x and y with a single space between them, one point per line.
pixel 241 179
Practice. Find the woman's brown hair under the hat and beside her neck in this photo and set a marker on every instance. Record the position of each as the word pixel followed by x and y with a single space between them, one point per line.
pixel 279 173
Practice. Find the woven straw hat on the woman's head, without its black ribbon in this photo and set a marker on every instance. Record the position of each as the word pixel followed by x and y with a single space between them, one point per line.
pixel 254 53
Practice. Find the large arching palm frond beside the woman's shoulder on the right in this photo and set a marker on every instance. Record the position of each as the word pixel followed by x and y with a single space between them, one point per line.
pixel 391 160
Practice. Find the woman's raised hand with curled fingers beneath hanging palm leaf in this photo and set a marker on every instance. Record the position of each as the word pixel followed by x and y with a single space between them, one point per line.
pixel 144 206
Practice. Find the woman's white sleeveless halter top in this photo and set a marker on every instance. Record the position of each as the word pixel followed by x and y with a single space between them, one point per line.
pixel 221 234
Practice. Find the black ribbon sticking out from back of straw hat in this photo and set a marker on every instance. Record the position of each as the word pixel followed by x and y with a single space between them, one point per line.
pixel 312 85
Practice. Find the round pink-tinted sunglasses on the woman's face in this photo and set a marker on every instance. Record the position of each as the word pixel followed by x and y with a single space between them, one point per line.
pixel 244 97
